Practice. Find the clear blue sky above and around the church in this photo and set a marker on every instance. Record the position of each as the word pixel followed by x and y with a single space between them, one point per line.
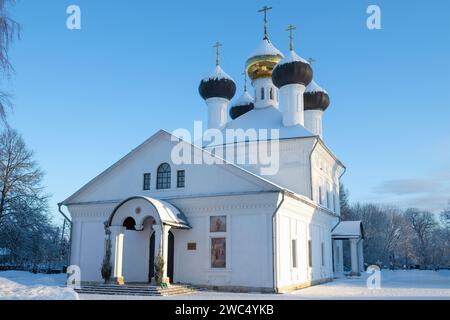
pixel 85 98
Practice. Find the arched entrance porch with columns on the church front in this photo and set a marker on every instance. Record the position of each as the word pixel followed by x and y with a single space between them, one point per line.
pixel 138 233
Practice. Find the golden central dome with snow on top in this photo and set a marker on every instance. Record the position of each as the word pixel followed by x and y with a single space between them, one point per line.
pixel 262 62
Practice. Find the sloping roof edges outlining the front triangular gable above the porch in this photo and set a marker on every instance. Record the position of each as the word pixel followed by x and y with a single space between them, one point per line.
pixel 246 174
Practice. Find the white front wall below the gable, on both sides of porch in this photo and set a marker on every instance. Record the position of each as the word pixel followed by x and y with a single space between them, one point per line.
pixel 248 242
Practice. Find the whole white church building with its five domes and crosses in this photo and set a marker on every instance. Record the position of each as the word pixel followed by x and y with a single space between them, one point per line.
pixel 219 222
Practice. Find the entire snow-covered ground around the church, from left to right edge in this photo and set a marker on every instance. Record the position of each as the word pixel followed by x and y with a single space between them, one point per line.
pixel 413 284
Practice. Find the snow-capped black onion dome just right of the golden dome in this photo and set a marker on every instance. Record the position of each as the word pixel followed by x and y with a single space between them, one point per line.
pixel 292 69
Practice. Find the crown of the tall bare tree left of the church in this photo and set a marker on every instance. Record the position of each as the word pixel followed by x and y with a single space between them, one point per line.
pixel 20 177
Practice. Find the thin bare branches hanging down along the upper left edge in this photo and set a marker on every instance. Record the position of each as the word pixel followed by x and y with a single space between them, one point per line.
pixel 9 30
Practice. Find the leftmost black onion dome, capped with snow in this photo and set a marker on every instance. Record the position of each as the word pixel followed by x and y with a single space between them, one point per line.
pixel 217 85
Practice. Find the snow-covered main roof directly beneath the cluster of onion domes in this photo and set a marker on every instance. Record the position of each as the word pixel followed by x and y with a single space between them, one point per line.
pixel 267 118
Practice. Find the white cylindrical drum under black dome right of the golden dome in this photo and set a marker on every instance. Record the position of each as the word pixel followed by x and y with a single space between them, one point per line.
pixel 291 97
